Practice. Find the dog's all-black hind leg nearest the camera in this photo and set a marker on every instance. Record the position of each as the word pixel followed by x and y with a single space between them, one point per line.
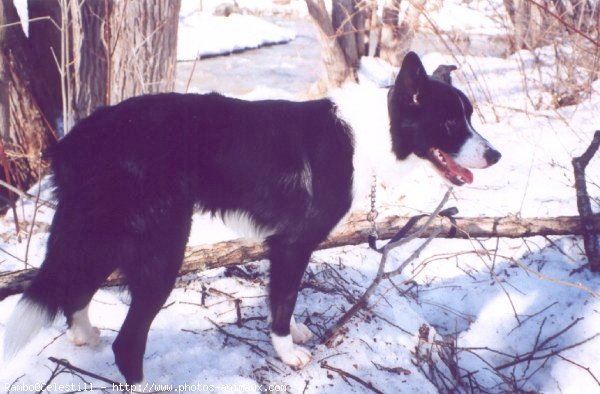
pixel 159 253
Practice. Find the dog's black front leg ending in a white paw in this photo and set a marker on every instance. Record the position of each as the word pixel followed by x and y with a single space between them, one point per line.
pixel 288 262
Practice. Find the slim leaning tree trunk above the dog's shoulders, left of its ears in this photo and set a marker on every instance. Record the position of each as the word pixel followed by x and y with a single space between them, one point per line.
pixel 338 69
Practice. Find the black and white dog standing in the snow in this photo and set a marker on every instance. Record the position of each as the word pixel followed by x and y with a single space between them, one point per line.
pixel 129 176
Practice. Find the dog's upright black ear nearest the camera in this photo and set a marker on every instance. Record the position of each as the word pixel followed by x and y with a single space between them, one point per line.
pixel 412 79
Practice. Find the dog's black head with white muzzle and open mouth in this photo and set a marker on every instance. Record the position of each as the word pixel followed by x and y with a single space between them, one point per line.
pixel 432 119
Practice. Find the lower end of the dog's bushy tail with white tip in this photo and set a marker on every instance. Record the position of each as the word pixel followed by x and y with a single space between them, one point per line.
pixel 35 310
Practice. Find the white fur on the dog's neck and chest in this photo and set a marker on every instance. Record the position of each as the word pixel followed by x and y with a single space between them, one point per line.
pixel 365 110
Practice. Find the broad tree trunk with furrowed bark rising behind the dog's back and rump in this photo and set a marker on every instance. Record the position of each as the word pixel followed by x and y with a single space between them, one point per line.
pixel 124 49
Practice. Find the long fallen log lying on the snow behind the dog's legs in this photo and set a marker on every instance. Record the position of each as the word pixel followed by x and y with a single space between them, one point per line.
pixel 222 254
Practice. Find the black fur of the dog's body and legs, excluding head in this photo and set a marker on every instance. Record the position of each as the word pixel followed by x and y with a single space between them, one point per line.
pixel 128 177
